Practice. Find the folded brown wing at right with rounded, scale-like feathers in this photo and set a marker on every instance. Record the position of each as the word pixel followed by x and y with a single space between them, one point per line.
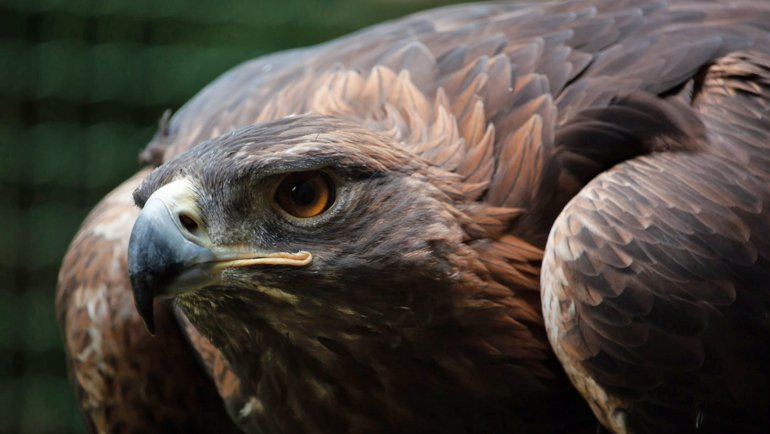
pixel 661 267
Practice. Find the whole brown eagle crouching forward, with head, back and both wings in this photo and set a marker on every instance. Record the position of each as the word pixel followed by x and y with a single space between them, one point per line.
pixel 450 142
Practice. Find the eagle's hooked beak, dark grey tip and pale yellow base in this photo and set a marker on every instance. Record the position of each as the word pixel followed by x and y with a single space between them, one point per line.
pixel 170 251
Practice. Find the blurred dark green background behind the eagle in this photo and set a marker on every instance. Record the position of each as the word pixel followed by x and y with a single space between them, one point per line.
pixel 82 85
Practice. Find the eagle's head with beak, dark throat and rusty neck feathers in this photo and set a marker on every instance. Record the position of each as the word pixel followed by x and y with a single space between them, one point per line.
pixel 330 265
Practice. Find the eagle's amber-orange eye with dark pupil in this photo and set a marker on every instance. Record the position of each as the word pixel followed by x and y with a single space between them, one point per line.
pixel 305 194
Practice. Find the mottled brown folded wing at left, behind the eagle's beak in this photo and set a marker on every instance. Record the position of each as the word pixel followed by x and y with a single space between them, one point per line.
pixel 126 380
